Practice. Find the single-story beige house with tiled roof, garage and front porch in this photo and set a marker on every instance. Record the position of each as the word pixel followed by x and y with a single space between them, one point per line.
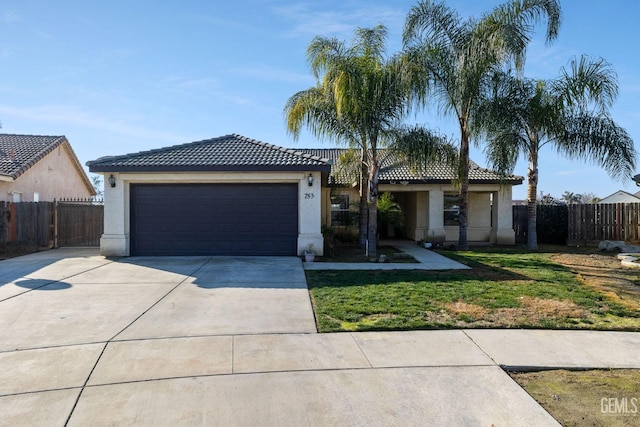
pixel 233 195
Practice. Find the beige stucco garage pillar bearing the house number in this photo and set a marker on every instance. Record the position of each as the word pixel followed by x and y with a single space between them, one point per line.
pixel 310 215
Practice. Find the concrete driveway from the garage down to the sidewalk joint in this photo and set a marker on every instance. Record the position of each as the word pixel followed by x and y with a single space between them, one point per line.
pixel 67 297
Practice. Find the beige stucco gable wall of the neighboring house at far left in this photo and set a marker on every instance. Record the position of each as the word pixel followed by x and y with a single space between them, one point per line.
pixel 57 175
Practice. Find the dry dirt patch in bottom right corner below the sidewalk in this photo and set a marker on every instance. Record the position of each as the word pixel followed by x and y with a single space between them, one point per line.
pixel 586 398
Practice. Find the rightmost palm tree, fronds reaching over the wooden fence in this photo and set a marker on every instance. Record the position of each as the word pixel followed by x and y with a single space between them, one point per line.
pixel 570 112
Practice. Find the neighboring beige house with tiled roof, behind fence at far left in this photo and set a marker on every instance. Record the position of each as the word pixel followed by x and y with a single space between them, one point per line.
pixel 40 168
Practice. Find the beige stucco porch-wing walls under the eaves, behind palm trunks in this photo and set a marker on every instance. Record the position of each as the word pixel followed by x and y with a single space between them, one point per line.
pixel 490 212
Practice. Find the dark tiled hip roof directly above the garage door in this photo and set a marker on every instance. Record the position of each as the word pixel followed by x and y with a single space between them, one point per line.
pixel 226 153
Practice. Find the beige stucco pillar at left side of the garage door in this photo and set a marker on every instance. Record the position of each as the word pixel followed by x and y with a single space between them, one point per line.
pixel 115 240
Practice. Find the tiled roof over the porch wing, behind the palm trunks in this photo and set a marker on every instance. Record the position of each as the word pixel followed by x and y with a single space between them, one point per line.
pixel 394 169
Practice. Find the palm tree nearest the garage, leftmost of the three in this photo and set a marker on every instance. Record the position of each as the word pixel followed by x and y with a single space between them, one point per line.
pixel 360 99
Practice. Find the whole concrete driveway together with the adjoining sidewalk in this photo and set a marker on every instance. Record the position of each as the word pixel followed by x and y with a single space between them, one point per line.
pixel 231 341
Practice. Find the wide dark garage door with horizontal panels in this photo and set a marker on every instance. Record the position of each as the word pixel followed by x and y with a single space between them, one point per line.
pixel 220 219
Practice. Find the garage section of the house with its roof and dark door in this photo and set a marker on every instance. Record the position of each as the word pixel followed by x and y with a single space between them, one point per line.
pixel 229 195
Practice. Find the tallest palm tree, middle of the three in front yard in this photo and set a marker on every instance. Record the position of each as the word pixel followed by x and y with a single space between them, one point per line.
pixel 456 58
